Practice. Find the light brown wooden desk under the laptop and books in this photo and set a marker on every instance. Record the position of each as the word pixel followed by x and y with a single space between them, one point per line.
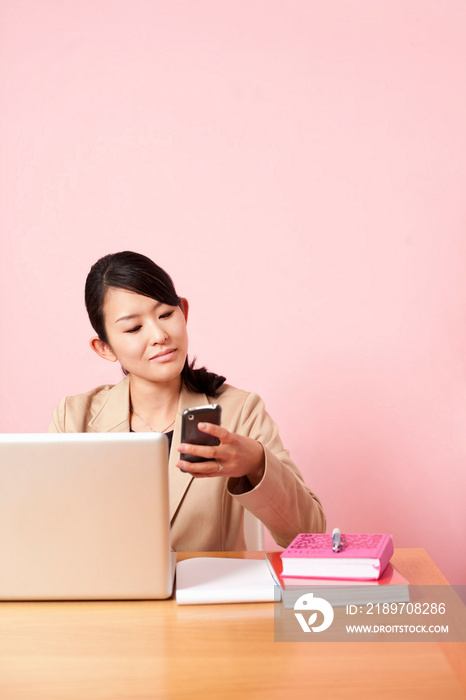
pixel 136 650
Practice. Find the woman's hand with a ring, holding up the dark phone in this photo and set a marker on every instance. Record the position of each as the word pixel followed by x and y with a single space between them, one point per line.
pixel 237 456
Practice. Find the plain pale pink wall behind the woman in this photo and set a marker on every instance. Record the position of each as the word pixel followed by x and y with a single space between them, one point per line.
pixel 299 168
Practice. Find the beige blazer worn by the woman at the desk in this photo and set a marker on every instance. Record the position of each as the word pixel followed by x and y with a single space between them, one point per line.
pixel 207 514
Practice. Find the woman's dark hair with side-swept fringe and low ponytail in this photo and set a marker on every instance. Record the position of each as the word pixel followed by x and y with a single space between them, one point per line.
pixel 139 274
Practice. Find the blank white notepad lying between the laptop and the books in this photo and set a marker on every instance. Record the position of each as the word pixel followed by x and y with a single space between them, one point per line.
pixel 204 580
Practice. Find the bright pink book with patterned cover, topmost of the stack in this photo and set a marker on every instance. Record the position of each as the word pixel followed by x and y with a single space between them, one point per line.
pixel 363 556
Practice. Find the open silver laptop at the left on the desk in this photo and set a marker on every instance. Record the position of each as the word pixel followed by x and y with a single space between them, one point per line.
pixel 84 517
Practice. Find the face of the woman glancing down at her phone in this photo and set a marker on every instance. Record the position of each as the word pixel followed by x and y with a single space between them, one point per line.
pixel 148 338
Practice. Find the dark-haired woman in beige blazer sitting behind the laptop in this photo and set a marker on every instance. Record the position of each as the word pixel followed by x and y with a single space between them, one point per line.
pixel 140 321
